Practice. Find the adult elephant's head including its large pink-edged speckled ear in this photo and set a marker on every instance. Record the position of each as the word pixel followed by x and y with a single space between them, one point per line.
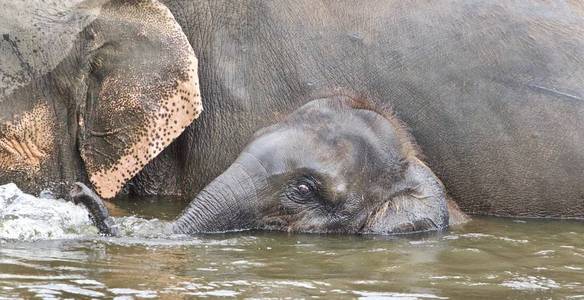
pixel 91 90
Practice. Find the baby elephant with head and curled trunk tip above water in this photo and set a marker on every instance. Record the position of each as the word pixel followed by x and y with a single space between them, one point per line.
pixel 335 165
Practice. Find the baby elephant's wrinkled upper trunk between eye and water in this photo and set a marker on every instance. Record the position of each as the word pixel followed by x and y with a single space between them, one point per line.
pixel 228 203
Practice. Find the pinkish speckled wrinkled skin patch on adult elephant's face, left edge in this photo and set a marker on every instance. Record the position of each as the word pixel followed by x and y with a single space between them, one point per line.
pixel 26 142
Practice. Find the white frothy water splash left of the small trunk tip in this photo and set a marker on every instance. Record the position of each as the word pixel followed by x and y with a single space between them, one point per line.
pixel 28 218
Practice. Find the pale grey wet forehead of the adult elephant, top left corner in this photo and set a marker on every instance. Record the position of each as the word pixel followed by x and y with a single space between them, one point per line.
pixel 38 35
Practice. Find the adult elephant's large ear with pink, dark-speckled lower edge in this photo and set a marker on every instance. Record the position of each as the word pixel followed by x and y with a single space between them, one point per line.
pixel 142 91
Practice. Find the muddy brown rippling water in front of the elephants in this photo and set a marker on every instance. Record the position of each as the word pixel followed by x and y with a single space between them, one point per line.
pixel 487 258
